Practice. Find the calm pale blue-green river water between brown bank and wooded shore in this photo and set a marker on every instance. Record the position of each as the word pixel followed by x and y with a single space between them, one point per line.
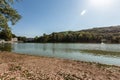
pixel 69 51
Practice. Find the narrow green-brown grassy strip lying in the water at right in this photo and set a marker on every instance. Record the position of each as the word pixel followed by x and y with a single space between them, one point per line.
pixel 101 52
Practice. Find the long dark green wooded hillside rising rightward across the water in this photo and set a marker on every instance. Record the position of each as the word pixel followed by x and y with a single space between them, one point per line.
pixel 96 35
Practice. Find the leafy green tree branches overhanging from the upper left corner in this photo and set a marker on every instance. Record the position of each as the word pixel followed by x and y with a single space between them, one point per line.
pixel 7 14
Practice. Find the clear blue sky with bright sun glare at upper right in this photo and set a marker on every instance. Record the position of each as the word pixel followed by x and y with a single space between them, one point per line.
pixel 47 16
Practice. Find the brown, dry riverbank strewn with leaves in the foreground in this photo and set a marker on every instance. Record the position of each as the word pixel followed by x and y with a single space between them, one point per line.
pixel 25 67
